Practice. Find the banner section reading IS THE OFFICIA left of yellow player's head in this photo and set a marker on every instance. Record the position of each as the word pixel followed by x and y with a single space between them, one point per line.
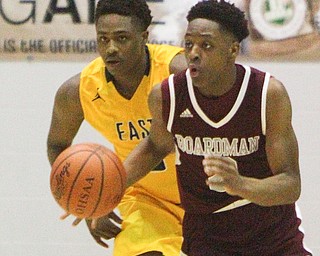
pixel 47 29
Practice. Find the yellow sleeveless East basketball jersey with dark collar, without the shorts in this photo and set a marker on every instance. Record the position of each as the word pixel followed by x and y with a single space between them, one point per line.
pixel 124 122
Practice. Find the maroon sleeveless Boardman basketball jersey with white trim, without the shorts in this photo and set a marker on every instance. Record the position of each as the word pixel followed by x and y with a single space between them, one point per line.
pixel 231 125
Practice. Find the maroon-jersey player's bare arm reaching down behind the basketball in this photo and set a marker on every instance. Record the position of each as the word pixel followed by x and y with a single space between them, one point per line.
pixel 153 148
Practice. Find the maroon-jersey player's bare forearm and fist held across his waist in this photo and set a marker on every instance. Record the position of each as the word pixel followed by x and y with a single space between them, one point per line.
pixel 283 187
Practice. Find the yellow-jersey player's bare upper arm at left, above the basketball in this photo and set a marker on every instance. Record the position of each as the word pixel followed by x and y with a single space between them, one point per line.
pixel 67 116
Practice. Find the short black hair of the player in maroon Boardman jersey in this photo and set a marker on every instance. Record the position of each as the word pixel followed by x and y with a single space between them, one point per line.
pixel 226 14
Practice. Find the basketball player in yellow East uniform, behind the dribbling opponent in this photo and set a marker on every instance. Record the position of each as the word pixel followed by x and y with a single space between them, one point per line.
pixel 111 94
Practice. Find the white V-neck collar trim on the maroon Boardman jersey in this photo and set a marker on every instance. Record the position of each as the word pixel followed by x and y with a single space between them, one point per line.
pixel 233 110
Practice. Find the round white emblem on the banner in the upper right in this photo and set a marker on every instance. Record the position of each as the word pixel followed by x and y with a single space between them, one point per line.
pixel 278 19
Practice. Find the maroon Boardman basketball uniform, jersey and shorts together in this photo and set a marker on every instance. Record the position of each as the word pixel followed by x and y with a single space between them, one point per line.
pixel 232 125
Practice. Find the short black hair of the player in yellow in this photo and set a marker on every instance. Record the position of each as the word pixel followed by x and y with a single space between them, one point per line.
pixel 133 8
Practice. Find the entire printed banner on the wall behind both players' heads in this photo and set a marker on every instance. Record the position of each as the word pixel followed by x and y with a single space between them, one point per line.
pixel 64 29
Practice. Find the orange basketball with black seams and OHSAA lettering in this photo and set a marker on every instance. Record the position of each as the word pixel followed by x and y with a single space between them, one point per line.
pixel 87 180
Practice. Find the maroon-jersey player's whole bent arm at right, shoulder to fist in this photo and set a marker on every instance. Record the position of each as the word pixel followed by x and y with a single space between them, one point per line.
pixel 284 186
